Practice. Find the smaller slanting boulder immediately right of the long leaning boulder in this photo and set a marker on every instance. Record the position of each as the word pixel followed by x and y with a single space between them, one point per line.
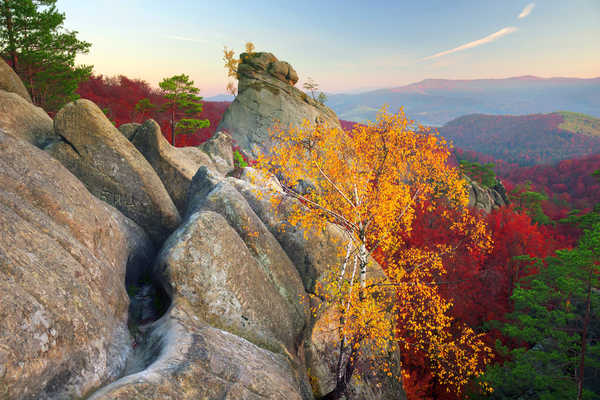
pixel 174 168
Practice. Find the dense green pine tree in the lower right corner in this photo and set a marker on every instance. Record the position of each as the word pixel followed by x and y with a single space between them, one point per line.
pixel 557 319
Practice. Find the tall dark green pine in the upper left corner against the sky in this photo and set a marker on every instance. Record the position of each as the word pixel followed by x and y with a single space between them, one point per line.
pixel 41 51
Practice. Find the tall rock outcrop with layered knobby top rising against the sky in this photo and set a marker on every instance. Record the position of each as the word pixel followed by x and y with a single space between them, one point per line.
pixel 266 95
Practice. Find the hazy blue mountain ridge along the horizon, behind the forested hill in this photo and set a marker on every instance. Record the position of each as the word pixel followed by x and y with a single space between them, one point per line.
pixel 437 101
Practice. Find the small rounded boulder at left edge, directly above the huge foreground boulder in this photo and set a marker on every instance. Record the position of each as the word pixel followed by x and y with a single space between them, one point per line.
pixel 19 118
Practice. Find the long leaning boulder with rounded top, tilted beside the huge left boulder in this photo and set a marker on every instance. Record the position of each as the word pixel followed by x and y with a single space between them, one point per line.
pixel 112 168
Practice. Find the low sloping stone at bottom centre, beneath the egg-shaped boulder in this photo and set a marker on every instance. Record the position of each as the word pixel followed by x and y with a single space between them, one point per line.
pixel 197 361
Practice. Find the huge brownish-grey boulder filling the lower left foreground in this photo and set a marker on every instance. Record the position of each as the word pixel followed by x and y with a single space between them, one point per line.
pixel 63 260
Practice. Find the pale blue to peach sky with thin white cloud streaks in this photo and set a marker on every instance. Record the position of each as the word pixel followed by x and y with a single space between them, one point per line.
pixel 345 46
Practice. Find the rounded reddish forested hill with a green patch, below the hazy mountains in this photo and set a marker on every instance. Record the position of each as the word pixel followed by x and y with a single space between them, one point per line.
pixel 526 139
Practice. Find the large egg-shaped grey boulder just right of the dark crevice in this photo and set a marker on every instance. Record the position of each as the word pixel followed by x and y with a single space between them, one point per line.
pixel 208 264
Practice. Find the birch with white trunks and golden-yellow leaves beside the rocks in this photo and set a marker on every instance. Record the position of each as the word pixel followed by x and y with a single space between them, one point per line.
pixel 371 183
